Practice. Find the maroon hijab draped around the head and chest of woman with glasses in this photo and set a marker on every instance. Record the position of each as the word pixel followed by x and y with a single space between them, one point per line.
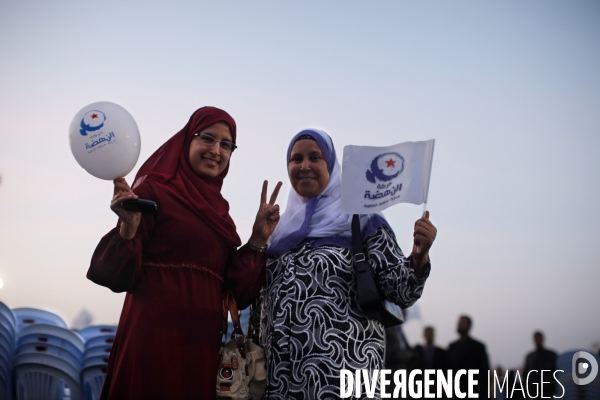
pixel 170 168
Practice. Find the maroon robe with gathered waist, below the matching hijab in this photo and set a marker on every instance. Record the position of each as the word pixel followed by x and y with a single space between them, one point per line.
pixel 168 337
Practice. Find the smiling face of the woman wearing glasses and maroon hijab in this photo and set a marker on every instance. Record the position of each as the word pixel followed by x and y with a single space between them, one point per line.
pixel 209 161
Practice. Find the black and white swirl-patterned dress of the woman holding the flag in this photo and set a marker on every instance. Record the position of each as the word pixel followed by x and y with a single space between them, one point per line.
pixel 308 326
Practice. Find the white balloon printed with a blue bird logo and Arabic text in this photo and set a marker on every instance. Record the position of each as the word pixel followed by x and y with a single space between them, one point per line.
pixel 105 140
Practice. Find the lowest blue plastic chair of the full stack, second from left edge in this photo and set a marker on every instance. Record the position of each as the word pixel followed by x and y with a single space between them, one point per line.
pixel 45 377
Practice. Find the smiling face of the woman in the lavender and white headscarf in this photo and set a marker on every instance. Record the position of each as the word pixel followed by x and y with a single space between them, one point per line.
pixel 307 168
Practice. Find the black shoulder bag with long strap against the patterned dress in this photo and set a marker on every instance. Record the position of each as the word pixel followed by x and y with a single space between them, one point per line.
pixel 370 299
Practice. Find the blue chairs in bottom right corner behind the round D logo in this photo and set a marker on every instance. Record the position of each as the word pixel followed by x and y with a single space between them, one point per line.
pixel 573 391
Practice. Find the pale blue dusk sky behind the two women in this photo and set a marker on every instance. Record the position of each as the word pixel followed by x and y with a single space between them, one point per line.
pixel 509 90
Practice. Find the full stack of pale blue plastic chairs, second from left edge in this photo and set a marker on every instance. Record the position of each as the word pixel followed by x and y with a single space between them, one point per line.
pixel 48 356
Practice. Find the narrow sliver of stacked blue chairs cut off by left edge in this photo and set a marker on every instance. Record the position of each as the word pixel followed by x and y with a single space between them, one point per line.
pixel 8 328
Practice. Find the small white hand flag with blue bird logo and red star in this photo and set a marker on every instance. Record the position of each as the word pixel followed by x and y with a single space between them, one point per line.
pixel 374 178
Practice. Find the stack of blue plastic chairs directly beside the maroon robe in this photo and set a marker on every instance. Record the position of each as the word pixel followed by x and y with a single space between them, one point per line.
pixel 99 340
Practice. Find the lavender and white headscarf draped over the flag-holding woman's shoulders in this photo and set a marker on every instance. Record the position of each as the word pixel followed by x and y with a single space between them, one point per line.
pixel 318 218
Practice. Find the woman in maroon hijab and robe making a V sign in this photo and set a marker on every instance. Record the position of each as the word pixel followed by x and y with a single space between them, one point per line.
pixel 173 265
